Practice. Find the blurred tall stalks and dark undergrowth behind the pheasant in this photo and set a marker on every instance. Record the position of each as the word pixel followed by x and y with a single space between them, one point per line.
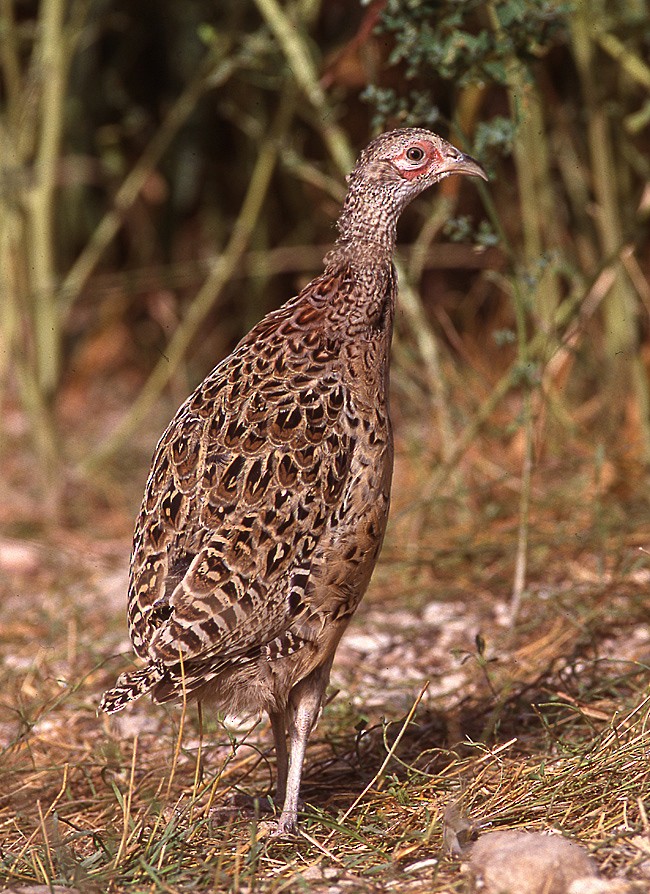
pixel 170 172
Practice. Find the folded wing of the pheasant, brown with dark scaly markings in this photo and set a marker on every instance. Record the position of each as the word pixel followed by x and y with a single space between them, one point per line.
pixel 244 482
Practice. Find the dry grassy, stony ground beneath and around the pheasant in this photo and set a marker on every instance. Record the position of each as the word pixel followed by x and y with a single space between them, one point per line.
pixel 542 728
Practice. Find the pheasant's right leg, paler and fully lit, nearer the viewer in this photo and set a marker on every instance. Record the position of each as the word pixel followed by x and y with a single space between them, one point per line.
pixel 302 714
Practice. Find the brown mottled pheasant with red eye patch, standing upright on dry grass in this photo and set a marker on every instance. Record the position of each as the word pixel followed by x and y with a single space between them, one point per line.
pixel 266 504
